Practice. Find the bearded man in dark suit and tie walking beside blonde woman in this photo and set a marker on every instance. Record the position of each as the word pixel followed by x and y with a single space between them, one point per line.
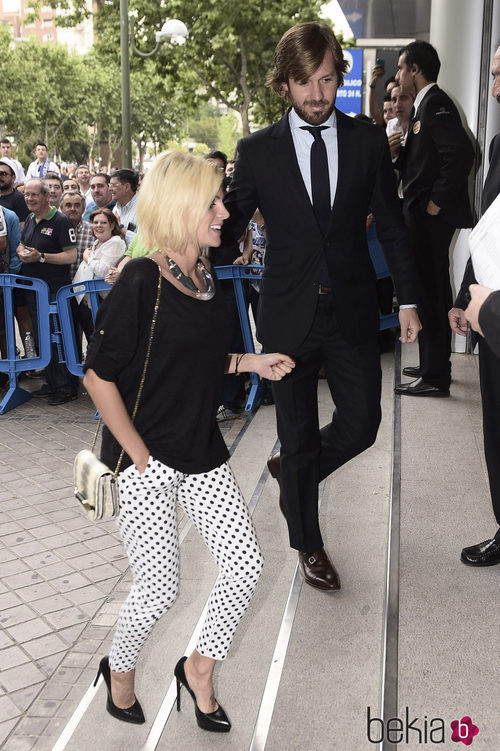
pixel 318 295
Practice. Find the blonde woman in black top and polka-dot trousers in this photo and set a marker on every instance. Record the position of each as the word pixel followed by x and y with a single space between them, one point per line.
pixel 174 451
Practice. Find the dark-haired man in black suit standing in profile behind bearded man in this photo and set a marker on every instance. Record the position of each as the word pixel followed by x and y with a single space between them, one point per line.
pixel 434 166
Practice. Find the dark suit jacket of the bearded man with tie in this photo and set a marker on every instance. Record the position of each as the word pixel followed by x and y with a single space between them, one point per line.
pixel 267 176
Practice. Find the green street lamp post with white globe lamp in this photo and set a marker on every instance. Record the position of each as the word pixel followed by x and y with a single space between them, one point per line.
pixel 172 29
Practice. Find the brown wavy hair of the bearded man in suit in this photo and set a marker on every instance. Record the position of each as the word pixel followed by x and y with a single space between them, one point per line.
pixel 300 52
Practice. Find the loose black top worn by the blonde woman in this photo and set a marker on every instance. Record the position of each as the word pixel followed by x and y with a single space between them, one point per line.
pixel 183 387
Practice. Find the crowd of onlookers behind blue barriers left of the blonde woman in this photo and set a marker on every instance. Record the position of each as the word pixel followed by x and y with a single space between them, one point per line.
pixel 64 228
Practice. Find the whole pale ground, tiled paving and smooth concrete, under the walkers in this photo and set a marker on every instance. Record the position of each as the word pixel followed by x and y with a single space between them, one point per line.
pixel 64 578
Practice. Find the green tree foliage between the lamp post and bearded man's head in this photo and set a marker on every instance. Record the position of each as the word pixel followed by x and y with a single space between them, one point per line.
pixel 230 49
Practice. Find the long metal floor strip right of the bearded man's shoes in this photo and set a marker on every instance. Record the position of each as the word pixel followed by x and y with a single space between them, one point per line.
pixel 389 697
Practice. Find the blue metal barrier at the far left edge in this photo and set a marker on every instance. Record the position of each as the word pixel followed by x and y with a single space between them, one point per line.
pixel 12 364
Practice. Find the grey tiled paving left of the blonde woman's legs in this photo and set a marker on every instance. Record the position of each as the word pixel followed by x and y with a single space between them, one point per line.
pixel 62 577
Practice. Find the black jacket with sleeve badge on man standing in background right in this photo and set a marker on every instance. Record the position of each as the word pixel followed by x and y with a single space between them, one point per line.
pixel 436 160
